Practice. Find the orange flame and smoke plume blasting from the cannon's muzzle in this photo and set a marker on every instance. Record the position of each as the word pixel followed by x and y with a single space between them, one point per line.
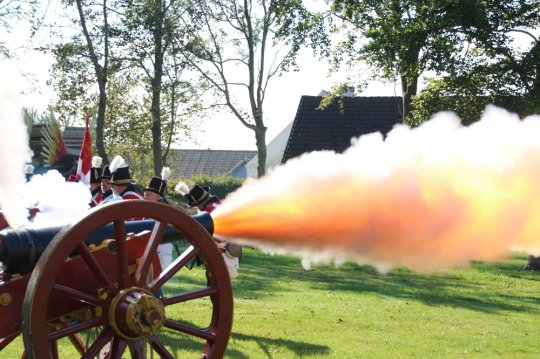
pixel 433 197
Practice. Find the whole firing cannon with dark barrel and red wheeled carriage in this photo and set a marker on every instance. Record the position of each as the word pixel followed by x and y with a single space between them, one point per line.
pixel 97 284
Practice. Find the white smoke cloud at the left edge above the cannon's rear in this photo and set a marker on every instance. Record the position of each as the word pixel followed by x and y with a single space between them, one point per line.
pixel 58 201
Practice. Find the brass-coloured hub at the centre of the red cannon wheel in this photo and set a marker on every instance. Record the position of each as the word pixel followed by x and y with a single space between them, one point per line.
pixel 135 313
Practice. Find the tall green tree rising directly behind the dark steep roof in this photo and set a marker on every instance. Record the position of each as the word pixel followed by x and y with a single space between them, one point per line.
pixel 403 39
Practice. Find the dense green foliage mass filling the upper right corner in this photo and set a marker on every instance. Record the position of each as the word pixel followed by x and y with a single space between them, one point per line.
pixel 461 40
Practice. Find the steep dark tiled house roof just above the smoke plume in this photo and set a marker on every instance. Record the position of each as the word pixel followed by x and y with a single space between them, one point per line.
pixel 332 128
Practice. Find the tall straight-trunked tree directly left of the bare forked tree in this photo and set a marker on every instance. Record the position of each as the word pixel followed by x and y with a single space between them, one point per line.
pixel 147 37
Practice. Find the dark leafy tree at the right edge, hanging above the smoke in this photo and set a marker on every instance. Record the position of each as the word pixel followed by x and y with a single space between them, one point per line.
pixel 493 70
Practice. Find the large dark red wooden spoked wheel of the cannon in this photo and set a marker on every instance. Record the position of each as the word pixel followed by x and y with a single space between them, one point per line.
pixel 127 314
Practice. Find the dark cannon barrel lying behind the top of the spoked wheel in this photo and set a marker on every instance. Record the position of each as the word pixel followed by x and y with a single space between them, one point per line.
pixel 21 249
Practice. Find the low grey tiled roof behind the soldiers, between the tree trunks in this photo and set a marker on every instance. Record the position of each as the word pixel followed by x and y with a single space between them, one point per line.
pixel 187 162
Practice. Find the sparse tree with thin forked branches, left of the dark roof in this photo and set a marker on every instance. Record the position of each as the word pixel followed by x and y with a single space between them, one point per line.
pixel 239 46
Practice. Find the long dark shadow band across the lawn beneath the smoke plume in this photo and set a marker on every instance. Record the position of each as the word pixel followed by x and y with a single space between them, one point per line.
pixel 261 275
